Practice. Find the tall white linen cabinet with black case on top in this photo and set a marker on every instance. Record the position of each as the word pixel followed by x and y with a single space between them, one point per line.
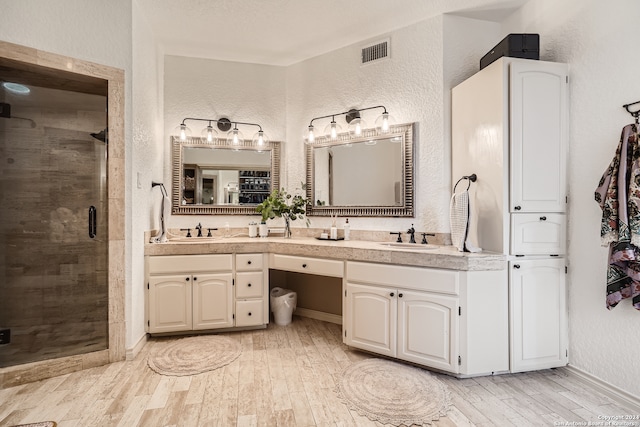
pixel 510 128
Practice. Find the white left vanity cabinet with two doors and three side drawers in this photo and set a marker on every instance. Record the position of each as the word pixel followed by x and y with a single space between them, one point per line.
pixel 204 292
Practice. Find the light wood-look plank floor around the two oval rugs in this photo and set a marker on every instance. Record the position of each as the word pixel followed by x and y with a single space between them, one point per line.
pixel 285 376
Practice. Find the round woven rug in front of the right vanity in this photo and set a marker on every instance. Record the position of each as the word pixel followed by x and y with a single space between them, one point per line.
pixel 393 393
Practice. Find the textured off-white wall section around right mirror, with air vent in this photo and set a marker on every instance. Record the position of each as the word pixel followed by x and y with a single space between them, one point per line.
pixel 409 85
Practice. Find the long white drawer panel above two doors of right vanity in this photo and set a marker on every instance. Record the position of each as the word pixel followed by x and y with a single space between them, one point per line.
pixel 418 278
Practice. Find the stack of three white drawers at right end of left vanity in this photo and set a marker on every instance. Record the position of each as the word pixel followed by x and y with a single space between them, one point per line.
pixel 251 303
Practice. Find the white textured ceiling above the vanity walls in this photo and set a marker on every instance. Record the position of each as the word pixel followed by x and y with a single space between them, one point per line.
pixel 284 32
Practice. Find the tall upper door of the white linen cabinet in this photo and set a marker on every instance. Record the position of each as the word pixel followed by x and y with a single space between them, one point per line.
pixel 538 135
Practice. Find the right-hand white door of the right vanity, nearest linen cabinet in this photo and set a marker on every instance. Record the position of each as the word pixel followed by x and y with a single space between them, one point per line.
pixel 427 329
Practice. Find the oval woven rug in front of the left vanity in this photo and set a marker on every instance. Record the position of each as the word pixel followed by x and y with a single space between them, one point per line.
pixel 194 355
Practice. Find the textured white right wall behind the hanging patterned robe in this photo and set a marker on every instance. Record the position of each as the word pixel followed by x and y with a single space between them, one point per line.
pixel 598 40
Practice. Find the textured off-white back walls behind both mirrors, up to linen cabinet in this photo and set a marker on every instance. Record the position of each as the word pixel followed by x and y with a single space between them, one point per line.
pixel 413 84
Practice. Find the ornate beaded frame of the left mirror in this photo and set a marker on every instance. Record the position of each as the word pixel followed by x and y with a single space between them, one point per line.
pixel 231 209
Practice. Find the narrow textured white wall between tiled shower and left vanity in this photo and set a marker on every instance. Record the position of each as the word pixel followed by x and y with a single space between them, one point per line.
pixel 146 161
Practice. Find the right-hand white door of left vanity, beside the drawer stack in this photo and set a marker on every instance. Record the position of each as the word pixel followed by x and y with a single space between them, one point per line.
pixel 212 301
